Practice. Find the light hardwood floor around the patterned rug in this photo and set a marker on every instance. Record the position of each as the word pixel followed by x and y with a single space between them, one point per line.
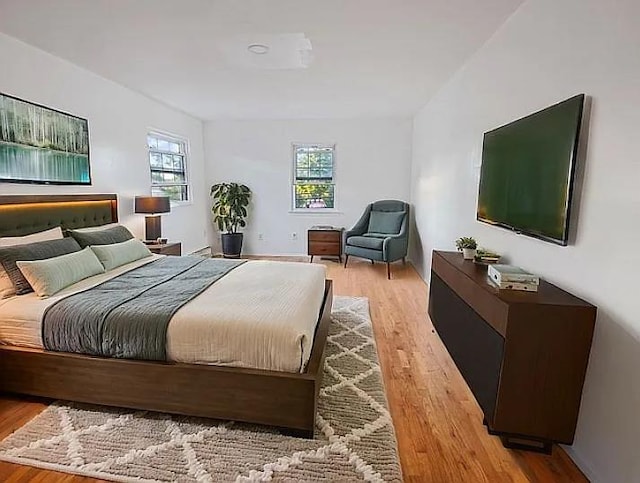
pixel 438 423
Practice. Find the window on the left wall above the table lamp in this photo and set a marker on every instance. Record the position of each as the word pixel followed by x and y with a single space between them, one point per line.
pixel 168 161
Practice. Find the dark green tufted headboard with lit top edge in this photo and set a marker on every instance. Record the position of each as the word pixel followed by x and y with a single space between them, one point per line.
pixel 25 214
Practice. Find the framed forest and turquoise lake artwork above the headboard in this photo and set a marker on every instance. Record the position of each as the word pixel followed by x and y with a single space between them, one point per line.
pixel 42 145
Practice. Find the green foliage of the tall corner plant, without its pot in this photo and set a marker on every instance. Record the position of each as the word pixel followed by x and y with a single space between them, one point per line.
pixel 230 202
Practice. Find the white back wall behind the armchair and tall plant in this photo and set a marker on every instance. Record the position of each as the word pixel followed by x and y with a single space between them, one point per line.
pixel 372 162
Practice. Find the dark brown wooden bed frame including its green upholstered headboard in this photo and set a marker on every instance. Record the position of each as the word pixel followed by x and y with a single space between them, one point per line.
pixel 282 399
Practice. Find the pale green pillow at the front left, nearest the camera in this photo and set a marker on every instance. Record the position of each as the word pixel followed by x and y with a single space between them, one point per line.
pixel 51 275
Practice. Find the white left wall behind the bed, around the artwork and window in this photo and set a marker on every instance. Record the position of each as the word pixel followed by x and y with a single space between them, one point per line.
pixel 118 123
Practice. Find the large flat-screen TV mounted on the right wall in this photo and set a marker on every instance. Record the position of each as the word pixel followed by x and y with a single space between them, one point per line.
pixel 527 172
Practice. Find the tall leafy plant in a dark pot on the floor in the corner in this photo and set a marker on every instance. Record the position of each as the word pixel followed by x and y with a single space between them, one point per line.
pixel 230 201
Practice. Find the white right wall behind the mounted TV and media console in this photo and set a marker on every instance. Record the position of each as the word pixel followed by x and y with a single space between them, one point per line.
pixel 546 52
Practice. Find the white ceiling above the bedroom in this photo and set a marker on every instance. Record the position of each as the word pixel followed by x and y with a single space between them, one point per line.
pixel 369 57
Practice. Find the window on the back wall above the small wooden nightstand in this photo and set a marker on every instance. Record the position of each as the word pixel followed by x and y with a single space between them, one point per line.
pixel 314 183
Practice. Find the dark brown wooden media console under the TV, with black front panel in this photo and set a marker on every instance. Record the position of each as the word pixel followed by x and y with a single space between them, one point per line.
pixel 524 355
